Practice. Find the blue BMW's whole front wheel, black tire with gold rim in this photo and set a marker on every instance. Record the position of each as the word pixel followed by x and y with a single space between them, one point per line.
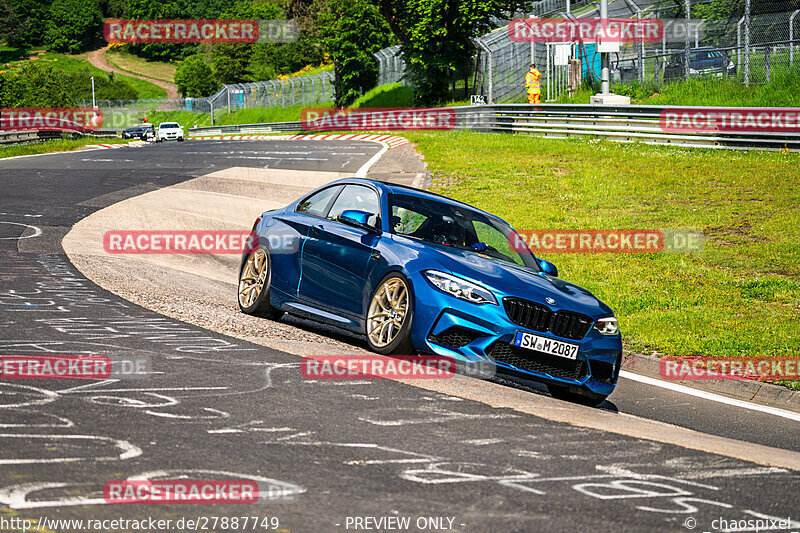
pixel 389 317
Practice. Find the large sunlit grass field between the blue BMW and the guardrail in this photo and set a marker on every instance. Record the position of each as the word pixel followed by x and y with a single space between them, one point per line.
pixel 739 296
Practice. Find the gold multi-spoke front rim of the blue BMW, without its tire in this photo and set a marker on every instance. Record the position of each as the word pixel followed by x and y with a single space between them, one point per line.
pixel 387 311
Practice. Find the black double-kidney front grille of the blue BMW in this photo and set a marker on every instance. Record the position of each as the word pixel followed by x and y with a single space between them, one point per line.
pixel 539 317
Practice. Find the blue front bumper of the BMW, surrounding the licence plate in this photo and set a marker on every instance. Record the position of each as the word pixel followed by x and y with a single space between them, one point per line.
pixel 447 326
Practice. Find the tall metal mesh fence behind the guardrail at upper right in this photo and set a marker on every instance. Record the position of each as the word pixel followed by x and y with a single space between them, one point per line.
pixel 751 47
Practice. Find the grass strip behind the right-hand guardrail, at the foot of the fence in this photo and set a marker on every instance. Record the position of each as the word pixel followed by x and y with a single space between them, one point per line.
pixel 782 91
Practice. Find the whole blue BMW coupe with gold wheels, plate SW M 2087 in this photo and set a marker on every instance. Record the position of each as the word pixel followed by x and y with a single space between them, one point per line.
pixel 418 272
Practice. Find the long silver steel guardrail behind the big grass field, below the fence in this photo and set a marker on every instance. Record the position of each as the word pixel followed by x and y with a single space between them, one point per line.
pixel 617 123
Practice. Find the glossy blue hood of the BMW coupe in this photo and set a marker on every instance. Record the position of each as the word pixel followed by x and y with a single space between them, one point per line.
pixel 506 279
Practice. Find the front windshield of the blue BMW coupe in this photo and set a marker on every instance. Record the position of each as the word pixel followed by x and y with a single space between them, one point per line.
pixel 456 226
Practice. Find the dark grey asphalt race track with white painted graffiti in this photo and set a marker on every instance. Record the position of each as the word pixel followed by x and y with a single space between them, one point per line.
pixel 343 453
